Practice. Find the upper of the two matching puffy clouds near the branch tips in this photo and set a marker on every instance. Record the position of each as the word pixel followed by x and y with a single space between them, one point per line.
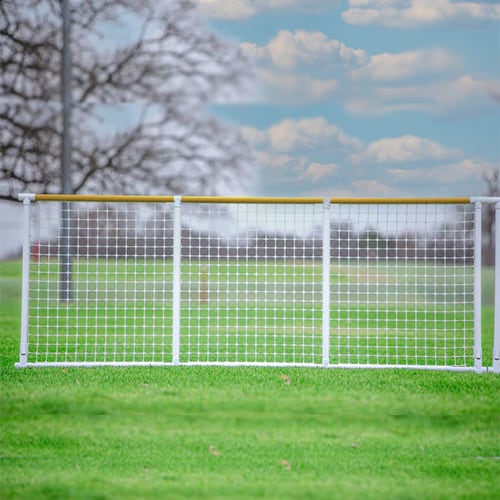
pixel 291 49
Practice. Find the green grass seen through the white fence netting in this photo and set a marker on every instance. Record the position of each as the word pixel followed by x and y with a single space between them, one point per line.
pixel 254 312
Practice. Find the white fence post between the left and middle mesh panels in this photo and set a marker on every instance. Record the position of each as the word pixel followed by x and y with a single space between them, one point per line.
pixel 176 299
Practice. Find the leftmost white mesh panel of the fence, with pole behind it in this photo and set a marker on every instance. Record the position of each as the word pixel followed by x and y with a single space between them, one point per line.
pixel 119 295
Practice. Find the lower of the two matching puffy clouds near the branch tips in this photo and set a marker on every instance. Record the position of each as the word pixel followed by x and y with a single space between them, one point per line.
pixel 308 133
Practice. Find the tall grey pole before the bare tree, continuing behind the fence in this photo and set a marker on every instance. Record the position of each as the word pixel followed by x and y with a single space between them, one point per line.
pixel 66 149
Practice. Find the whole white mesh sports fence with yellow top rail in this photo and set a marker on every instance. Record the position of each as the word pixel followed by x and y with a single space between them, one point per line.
pixel 190 280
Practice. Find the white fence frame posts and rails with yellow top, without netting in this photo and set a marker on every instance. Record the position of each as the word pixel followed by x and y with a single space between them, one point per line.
pixel 323 359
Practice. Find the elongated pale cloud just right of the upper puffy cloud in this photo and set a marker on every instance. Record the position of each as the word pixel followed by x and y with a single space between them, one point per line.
pixel 409 64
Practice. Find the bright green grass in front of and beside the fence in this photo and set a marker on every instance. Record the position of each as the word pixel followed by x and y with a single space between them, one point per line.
pixel 204 432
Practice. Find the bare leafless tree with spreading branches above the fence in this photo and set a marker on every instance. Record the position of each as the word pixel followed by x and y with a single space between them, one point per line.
pixel 158 73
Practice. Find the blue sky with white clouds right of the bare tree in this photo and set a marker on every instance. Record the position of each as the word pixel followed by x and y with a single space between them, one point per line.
pixel 367 97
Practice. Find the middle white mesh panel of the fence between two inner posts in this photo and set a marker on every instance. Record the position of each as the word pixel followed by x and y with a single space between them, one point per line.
pixel 251 284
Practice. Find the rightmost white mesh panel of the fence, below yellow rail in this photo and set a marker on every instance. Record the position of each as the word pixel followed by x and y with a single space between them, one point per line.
pixel 402 285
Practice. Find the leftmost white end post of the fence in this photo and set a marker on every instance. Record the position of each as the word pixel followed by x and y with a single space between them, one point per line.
pixel 23 352
